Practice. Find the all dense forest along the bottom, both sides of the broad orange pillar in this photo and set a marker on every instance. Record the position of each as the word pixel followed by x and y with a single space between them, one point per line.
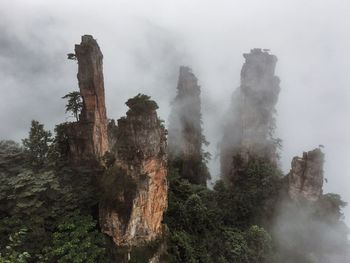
pixel 48 213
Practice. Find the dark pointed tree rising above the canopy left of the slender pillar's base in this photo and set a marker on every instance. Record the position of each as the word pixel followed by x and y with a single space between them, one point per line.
pixel 37 145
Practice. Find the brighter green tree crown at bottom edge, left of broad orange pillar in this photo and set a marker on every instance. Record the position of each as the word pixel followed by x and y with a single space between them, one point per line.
pixel 76 240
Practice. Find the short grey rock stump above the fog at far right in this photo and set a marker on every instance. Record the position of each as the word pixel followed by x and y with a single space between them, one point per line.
pixel 305 179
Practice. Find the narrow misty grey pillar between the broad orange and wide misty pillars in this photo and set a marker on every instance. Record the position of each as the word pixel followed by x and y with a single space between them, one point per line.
pixel 185 131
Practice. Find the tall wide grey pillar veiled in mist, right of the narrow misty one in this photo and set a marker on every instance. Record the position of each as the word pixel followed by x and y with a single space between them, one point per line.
pixel 250 123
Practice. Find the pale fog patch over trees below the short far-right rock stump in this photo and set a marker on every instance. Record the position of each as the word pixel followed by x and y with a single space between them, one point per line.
pixel 303 237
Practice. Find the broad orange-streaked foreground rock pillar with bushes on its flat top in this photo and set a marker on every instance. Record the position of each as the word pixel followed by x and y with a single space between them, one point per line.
pixel 135 188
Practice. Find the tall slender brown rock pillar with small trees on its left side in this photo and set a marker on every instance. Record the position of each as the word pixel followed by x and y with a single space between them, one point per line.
pixel 88 137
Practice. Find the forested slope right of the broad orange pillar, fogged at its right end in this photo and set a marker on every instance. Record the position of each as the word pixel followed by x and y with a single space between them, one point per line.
pixel 253 221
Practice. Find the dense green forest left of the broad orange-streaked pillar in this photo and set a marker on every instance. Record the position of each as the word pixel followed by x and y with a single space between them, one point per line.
pixel 48 208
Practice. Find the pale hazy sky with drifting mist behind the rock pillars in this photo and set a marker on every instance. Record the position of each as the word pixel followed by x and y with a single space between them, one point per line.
pixel 144 43
